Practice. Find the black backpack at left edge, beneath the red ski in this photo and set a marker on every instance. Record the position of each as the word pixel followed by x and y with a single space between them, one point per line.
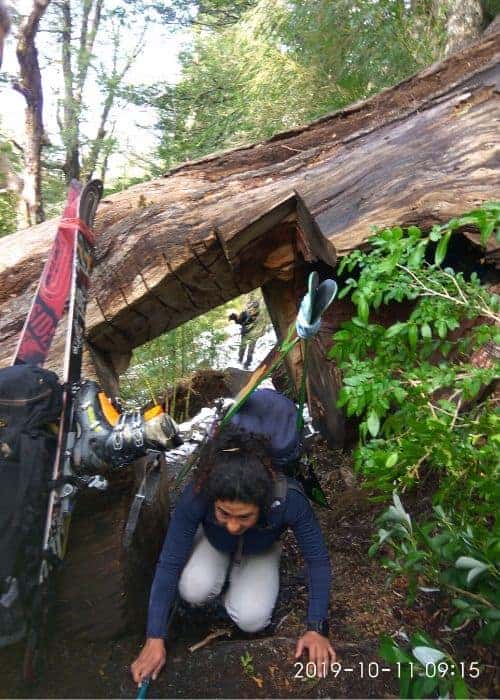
pixel 30 400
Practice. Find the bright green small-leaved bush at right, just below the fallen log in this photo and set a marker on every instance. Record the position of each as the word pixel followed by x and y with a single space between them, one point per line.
pixel 408 382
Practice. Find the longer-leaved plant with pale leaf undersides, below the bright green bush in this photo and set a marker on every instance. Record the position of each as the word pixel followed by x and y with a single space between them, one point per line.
pixel 441 555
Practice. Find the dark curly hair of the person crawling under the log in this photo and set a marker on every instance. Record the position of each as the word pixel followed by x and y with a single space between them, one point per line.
pixel 235 466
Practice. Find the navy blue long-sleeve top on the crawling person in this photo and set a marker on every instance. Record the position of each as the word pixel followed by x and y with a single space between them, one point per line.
pixel 193 509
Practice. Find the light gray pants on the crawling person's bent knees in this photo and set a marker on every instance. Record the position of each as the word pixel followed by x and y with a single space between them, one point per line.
pixel 253 582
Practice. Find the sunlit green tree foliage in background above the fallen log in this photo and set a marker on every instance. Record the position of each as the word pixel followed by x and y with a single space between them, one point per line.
pixel 275 65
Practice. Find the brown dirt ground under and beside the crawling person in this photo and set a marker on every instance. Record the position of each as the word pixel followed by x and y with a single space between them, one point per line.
pixel 236 665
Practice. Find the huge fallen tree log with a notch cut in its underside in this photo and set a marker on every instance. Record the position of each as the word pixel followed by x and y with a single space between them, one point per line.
pixel 171 249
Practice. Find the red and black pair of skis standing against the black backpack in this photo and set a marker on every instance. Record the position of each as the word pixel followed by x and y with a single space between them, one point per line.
pixel 64 284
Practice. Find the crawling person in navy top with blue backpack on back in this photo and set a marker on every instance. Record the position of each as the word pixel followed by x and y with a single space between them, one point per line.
pixel 224 535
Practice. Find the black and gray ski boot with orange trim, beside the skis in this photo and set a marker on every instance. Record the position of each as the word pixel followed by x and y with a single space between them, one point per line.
pixel 107 438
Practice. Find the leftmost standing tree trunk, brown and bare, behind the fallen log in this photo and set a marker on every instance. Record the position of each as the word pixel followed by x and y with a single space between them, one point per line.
pixel 30 86
